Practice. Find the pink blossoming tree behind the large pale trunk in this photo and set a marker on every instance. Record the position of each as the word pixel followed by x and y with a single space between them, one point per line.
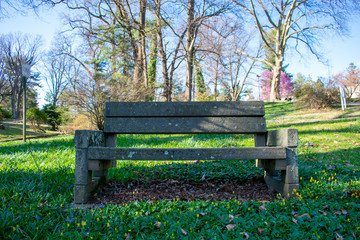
pixel 265 85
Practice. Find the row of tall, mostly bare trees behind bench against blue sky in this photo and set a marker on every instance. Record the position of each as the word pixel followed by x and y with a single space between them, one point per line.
pixel 157 50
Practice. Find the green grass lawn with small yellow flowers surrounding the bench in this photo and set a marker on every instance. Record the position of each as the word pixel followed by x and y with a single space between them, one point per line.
pixel 37 177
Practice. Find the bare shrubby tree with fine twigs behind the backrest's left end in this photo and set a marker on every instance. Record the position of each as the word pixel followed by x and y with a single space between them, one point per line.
pixel 90 87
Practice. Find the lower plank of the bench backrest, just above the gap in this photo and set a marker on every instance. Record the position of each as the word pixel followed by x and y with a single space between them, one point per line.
pixel 165 125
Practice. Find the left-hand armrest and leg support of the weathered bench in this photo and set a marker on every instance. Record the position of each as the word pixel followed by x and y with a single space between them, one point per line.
pixel 85 184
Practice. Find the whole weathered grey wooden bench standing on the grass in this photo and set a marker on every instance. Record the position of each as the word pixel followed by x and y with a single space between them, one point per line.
pixel 96 151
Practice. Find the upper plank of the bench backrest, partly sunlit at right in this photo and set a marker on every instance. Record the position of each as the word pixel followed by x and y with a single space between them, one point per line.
pixel 184 109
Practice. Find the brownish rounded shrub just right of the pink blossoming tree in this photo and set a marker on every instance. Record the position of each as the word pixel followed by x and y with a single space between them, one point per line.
pixel 319 94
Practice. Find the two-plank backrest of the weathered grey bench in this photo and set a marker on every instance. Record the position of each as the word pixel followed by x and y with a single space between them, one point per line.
pixel 184 117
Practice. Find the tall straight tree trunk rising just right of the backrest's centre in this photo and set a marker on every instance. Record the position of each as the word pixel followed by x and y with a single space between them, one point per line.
pixel 190 50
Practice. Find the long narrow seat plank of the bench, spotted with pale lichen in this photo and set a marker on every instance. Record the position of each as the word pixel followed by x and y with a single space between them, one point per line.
pixel 103 153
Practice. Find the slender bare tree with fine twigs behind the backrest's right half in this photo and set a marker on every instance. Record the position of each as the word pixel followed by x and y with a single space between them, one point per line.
pixel 228 68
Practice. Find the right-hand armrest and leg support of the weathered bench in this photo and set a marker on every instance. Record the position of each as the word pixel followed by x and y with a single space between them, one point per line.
pixel 289 178
